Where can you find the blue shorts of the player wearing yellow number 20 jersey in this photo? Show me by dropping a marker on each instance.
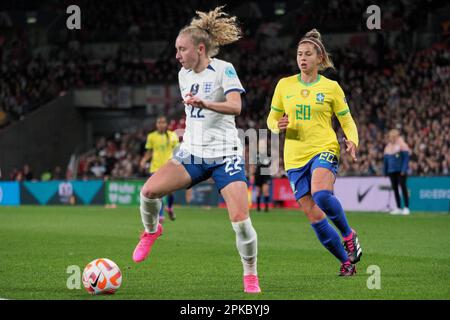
(300, 178)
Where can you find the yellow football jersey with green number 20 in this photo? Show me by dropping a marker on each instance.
(310, 108)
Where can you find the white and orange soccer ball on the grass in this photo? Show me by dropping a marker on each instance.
(102, 276)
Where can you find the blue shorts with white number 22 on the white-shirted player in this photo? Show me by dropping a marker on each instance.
(223, 170)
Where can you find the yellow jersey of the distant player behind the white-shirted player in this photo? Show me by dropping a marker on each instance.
(162, 145)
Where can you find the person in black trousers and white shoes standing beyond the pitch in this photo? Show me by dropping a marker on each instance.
(396, 160)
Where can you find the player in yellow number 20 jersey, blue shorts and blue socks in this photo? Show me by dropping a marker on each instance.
(303, 106)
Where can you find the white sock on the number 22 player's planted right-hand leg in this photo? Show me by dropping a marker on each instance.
(247, 245)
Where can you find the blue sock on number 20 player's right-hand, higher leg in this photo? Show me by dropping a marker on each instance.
(333, 209)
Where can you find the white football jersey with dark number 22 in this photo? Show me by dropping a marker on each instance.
(210, 134)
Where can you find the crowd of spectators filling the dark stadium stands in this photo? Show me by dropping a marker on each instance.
(386, 87)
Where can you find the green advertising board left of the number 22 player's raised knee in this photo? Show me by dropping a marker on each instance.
(123, 192)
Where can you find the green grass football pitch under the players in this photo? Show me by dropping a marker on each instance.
(196, 258)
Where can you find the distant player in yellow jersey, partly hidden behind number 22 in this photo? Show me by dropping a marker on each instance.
(160, 145)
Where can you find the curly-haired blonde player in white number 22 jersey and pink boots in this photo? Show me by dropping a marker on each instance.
(211, 90)
